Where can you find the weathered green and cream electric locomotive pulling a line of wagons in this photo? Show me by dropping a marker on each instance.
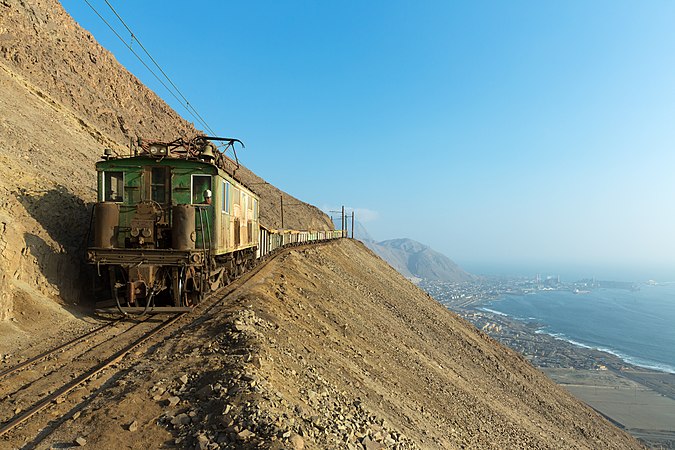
(171, 223)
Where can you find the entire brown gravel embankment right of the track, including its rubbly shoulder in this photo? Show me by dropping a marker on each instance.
(329, 347)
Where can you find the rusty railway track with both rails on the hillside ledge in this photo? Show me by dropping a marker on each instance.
(46, 379)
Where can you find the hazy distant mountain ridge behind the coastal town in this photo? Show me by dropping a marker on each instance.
(418, 261)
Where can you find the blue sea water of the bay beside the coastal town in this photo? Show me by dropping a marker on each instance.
(637, 326)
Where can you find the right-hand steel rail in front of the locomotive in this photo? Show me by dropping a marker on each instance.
(46, 401)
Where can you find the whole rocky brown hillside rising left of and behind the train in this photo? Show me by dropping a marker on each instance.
(63, 99)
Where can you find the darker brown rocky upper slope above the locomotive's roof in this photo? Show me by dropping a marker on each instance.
(39, 40)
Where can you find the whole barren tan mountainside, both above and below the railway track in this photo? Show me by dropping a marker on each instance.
(324, 347)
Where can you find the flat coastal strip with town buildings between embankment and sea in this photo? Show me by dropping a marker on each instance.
(638, 399)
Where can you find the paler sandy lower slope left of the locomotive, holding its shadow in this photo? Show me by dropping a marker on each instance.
(45, 186)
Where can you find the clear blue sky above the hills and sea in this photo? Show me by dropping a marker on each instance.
(520, 133)
